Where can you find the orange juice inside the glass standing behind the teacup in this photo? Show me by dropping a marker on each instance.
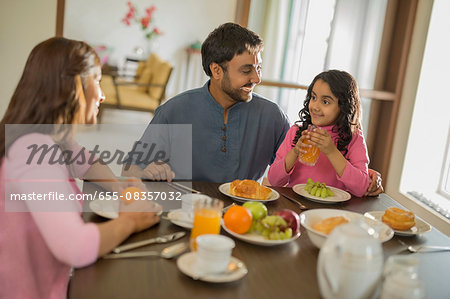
(206, 221)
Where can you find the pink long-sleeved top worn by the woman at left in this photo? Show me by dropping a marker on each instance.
(37, 249)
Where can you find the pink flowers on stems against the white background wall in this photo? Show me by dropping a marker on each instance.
(145, 22)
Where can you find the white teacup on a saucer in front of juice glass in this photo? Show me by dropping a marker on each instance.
(213, 253)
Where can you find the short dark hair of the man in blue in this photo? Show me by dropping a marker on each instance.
(226, 41)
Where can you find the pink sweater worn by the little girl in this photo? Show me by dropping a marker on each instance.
(355, 178)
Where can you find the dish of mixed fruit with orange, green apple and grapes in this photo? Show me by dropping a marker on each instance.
(251, 223)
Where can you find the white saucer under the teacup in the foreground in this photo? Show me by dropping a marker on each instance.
(186, 264)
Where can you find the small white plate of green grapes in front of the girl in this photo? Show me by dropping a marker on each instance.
(320, 192)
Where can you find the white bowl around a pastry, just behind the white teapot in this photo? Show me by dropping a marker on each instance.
(309, 218)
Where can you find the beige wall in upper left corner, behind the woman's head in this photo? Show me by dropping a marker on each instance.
(23, 24)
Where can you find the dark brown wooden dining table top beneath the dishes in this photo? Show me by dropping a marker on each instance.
(283, 271)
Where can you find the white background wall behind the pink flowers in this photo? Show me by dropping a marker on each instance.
(182, 21)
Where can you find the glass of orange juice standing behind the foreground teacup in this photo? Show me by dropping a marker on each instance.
(207, 215)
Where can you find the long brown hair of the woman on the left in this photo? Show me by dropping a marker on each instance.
(49, 91)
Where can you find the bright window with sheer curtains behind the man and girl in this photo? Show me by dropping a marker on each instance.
(303, 37)
